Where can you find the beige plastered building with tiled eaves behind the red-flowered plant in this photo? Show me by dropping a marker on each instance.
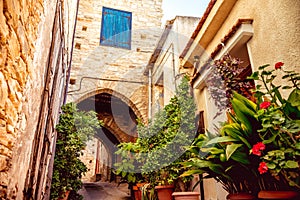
(257, 32)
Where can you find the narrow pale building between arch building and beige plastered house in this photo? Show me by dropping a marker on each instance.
(163, 66)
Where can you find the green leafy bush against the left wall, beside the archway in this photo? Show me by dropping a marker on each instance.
(73, 131)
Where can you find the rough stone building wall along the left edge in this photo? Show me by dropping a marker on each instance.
(34, 61)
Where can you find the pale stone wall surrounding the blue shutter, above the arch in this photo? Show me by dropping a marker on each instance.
(92, 63)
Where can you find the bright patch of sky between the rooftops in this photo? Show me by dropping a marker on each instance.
(194, 8)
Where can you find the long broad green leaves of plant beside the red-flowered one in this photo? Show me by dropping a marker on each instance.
(226, 157)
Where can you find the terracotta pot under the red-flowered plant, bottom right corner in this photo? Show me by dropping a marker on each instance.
(264, 194)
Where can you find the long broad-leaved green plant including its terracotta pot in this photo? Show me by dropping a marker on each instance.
(225, 158)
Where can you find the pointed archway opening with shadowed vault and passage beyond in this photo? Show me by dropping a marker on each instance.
(120, 123)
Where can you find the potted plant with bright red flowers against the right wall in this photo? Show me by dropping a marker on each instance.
(279, 145)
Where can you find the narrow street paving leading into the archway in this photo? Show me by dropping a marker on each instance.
(105, 191)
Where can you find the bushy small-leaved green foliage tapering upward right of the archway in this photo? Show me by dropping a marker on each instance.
(161, 146)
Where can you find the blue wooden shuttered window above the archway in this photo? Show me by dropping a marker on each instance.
(116, 28)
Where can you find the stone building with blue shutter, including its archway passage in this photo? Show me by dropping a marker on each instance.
(113, 43)
